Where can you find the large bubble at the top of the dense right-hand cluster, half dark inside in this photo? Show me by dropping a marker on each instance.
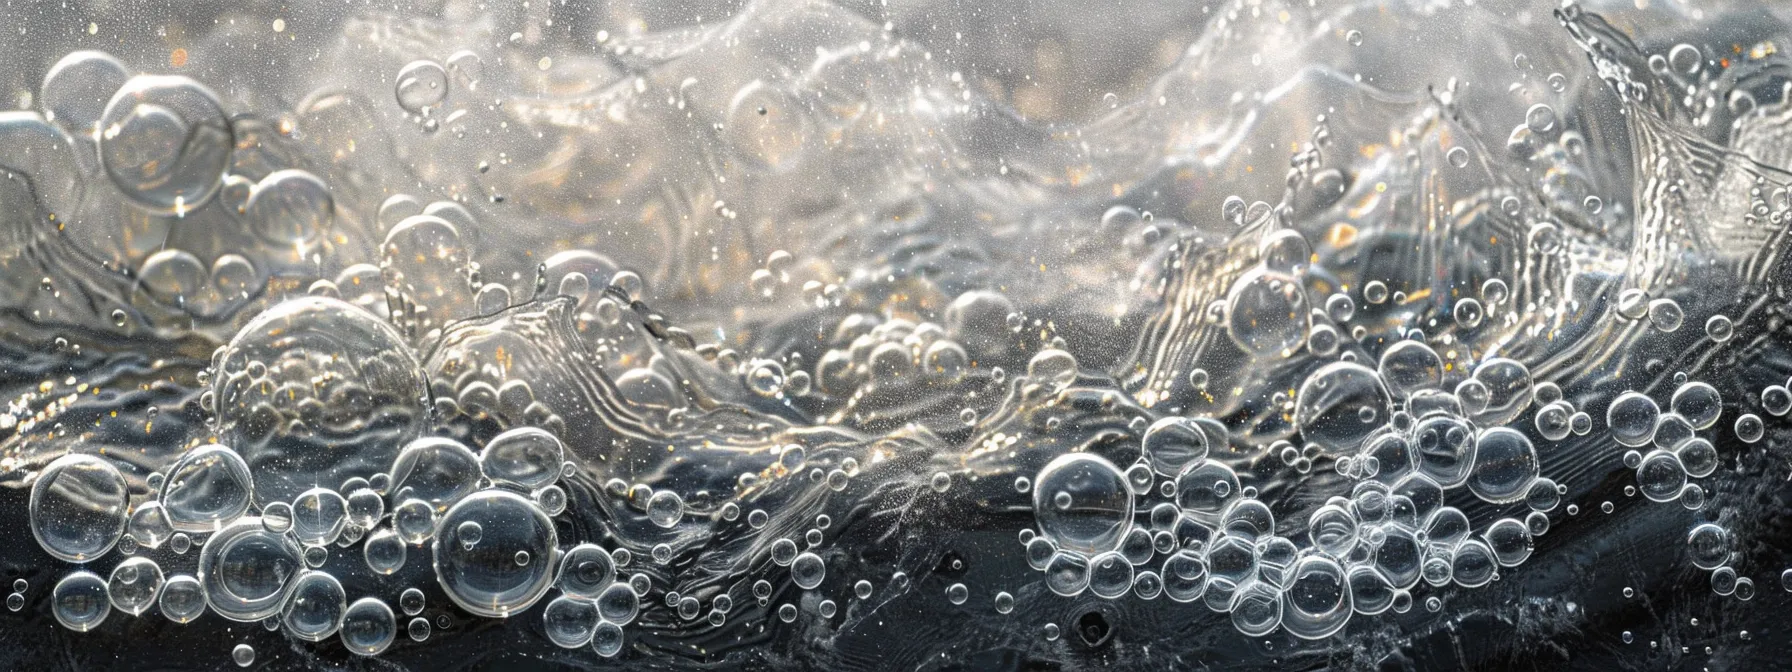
(1340, 406)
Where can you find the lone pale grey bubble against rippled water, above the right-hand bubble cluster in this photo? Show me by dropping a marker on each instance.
(1268, 314)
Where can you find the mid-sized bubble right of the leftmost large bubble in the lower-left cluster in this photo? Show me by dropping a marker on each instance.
(207, 488)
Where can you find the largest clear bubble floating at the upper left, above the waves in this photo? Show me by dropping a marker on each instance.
(166, 144)
